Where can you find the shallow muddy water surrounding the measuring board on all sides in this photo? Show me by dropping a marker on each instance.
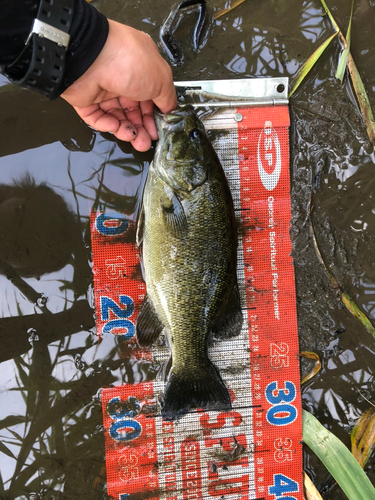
(54, 170)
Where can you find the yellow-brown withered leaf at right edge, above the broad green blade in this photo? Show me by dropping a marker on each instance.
(363, 437)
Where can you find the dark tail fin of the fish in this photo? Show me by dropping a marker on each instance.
(187, 390)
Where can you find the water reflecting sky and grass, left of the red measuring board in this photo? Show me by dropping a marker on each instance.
(50, 412)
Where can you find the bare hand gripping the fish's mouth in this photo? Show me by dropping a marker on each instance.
(118, 92)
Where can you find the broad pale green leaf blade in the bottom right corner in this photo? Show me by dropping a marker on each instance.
(337, 459)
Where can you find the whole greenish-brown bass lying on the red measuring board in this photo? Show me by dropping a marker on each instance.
(188, 238)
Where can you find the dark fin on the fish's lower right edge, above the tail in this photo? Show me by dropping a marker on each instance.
(229, 322)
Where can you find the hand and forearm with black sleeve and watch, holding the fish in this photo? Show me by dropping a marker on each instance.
(113, 74)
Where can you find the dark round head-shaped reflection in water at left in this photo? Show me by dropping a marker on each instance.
(38, 233)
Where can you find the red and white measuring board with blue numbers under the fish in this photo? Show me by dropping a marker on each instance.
(253, 451)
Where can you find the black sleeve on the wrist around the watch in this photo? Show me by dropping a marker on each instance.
(88, 34)
